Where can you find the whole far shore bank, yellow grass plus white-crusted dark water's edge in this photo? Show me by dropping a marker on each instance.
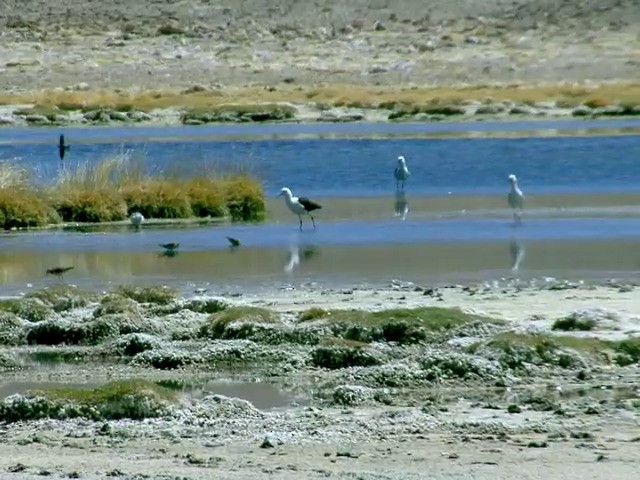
(200, 105)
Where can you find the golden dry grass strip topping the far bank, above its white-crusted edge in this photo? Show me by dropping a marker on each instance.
(266, 104)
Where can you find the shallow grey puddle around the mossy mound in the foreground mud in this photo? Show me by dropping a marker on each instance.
(263, 396)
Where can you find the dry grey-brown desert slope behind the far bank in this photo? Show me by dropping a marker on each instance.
(164, 43)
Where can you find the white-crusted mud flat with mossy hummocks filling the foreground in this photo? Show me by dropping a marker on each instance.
(317, 383)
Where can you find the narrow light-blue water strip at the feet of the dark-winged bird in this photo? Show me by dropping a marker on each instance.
(458, 231)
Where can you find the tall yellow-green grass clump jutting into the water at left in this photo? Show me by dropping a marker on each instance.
(112, 189)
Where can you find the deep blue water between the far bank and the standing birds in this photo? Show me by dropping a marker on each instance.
(360, 167)
